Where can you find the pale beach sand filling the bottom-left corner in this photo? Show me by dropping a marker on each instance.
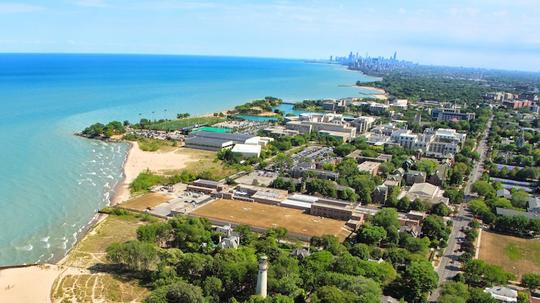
(28, 284)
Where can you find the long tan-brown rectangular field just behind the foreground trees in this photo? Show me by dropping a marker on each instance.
(267, 216)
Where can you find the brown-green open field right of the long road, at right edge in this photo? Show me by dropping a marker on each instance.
(514, 254)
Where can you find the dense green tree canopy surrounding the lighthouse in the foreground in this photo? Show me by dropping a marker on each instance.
(180, 260)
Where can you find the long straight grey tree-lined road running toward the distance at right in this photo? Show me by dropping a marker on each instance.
(449, 266)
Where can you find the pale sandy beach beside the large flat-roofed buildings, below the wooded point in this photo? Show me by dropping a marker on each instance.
(159, 161)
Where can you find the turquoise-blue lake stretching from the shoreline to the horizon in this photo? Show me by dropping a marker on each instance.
(52, 183)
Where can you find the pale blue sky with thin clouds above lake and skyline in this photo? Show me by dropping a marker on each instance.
(501, 34)
